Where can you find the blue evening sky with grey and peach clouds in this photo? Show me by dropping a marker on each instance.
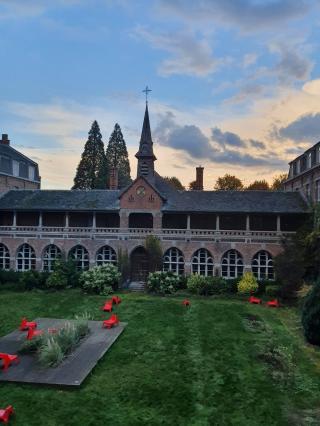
(235, 83)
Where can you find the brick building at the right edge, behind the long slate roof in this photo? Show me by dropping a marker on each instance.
(304, 174)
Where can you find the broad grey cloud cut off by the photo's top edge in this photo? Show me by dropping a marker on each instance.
(249, 15)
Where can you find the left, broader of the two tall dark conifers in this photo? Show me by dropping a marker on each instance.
(93, 162)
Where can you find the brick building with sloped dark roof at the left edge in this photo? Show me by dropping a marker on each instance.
(16, 170)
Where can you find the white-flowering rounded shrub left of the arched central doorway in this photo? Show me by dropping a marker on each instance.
(100, 279)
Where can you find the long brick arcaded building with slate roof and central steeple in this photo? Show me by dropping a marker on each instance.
(209, 232)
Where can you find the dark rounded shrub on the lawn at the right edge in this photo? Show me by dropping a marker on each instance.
(311, 315)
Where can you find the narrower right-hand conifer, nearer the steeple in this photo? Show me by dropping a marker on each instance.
(117, 156)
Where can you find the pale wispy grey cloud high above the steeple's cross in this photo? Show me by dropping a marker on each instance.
(189, 55)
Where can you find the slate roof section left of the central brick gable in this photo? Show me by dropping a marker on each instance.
(58, 200)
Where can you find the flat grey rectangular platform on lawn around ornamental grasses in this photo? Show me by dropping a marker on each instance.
(73, 369)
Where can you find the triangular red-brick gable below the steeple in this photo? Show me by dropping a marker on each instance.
(140, 196)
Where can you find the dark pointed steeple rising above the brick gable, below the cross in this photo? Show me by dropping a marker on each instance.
(145, 154)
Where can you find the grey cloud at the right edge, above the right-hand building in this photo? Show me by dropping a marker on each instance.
(304, 128)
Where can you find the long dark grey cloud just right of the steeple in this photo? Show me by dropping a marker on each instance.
(190, 140)
